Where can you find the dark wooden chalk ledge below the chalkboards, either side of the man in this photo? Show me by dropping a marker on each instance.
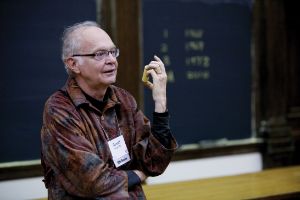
(33, 168)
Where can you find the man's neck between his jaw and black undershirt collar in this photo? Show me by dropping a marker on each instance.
(96, 92)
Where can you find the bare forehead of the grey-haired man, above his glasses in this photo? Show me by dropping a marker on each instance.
(95, 38)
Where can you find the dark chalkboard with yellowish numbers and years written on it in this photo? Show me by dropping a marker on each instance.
(205, 45)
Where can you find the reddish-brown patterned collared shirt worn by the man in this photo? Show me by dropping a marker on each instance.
(75, 154)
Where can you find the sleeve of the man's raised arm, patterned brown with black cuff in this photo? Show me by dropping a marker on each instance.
(154, 145)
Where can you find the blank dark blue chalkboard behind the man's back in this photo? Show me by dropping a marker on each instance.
(31, 68)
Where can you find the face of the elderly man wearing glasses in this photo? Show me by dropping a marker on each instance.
(95, 73)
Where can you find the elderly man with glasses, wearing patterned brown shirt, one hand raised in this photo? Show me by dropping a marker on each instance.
(96, 143)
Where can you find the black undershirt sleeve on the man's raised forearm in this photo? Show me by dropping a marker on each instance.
(161, 128)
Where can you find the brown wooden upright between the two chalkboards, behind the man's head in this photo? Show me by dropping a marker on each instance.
(121, 19)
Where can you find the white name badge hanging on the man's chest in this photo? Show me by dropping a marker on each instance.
(119, 151)
